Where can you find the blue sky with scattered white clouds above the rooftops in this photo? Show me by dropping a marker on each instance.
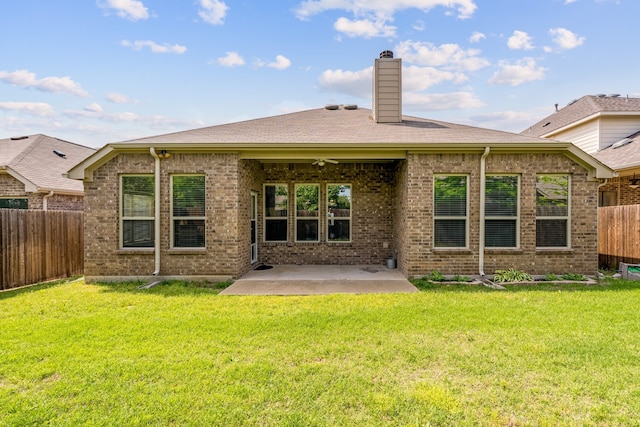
(99, 71)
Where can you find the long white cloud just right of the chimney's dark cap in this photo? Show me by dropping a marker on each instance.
(448, 56)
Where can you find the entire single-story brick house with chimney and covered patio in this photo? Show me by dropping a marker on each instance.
(340, 185)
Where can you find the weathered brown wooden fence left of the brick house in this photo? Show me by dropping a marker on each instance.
(39, 245)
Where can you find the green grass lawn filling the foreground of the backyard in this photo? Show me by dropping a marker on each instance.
(178, 354)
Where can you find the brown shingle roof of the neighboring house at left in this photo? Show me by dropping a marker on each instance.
(32, 161)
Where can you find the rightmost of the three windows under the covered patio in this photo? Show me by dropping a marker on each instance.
(339, 212)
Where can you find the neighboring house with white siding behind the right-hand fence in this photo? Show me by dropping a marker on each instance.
(607, 127)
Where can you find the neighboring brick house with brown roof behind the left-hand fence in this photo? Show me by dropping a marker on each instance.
(31, 173)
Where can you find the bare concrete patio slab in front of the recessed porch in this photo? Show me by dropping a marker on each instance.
(319, 280)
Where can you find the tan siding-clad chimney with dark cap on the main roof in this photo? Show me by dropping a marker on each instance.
(387, 89)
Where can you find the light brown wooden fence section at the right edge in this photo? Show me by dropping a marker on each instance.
(618, 235)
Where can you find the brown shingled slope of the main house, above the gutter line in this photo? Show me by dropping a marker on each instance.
(336, 126)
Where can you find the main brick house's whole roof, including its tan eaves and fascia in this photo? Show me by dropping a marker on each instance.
(343, 133)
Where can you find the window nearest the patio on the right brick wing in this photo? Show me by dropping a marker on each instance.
(450, 197)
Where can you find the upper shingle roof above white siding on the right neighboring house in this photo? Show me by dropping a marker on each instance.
(586, 107)
